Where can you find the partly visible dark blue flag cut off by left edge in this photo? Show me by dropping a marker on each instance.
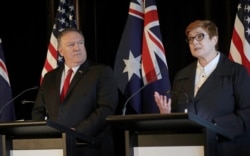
(7, 109)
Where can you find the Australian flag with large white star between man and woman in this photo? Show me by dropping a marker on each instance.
(141, 66)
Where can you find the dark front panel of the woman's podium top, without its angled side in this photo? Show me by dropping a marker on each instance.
(153, 121)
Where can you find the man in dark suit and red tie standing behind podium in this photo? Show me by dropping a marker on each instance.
(92, 95)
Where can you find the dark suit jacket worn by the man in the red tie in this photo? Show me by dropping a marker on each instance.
(91, 97)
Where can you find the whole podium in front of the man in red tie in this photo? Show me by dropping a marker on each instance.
(39, 135)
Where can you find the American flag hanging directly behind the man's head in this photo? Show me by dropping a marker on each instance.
(65, 18)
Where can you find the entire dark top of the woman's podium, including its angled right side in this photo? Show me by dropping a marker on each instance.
(172, 121)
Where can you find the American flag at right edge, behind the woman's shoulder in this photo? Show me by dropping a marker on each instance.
(240, 43)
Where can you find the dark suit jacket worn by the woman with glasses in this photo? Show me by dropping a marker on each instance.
(223, 99)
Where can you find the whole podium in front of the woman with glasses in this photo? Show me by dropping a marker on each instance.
(164, 130)
